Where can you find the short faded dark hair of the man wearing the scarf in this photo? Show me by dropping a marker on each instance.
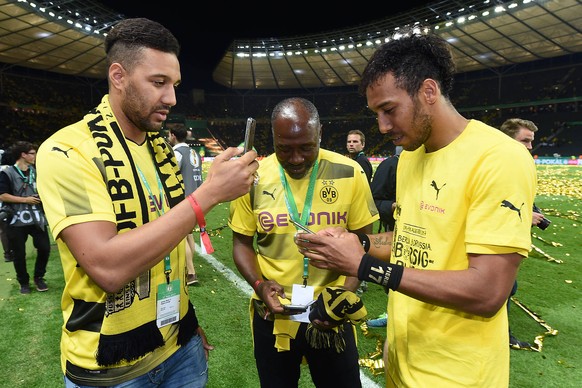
(127, 38)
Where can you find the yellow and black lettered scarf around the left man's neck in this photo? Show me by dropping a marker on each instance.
(129, 329)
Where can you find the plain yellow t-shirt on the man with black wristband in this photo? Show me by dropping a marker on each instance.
(473, 196)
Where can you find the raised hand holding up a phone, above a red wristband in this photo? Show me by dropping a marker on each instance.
(230, 177)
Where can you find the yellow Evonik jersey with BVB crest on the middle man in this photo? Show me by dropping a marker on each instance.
(341, 197)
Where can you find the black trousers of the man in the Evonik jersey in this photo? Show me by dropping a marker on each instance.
(283, 369)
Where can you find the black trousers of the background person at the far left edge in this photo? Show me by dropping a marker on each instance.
(40, 238)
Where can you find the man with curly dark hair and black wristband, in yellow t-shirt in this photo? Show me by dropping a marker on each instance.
(462, 226)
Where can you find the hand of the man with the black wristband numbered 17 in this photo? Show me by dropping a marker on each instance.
(333, 249)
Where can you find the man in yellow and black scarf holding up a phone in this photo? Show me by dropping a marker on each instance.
(115, 202)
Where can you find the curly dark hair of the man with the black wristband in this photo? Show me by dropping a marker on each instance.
(411, 59)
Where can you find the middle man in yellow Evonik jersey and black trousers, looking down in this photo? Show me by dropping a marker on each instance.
(318, 188)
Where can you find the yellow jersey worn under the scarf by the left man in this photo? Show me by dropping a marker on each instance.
(74, 191)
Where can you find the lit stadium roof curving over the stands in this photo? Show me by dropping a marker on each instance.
(66, 37)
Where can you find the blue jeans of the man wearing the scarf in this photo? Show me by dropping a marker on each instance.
(185, 368)
